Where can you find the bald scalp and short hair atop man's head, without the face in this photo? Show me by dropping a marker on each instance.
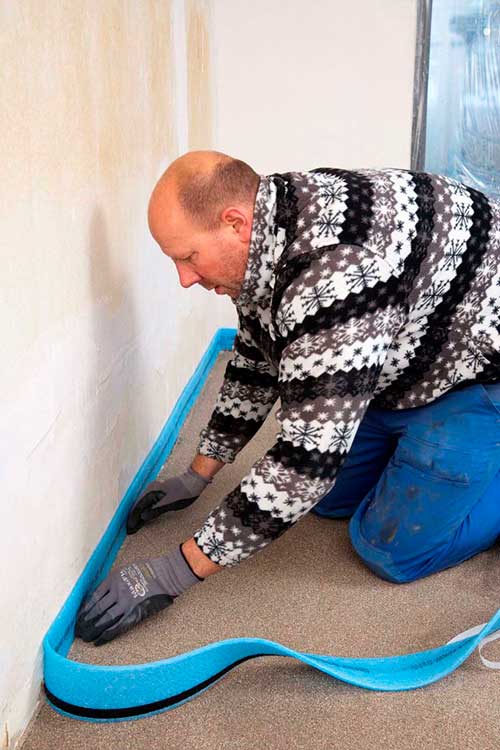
(203, 184)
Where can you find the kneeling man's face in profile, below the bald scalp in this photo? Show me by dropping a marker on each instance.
(215, 260)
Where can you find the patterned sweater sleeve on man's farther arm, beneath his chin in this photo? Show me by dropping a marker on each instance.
(247, 395)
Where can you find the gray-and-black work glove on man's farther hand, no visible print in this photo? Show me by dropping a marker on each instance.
(161, 496)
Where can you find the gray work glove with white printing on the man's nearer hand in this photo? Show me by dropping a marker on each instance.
(130, 594)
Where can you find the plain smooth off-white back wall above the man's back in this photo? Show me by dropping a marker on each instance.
(324, 83)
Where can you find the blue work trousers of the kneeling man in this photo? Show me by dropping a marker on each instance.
(422, 486)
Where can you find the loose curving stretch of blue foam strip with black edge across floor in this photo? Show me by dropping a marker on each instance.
(114, 693)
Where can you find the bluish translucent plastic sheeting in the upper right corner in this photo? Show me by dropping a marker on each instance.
(463, 102)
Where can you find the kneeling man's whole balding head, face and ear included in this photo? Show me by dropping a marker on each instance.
(201, 215)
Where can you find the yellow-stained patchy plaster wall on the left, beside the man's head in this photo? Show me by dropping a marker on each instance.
(93, 105)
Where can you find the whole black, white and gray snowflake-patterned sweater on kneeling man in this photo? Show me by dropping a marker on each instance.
(366, 287)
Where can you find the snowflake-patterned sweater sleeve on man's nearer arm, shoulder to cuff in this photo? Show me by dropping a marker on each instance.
(336, 321)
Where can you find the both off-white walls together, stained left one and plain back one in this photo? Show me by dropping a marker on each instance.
(95, 101)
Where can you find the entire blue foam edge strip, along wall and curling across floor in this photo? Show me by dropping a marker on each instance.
(140, 690)
